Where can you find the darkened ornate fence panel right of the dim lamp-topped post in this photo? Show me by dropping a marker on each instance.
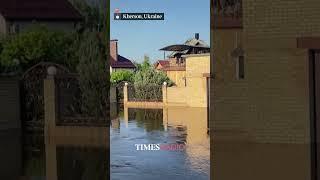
(71, 107)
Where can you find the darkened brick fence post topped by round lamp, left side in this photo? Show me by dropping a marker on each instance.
(49, 100)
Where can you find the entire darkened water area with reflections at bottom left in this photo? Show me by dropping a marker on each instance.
(64, 153)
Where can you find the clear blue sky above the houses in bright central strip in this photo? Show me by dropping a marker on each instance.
(183, 18)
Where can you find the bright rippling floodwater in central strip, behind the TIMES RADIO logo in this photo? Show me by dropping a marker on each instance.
(186, 126)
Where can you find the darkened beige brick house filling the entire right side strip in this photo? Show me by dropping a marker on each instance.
(265, 98)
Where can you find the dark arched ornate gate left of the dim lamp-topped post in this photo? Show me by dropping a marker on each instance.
(32, 103)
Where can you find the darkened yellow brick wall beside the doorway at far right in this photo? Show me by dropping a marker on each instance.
(277, 71)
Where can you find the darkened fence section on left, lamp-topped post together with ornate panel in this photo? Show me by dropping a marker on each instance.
(66, 104)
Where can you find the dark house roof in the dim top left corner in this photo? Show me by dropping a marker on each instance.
(38, 10)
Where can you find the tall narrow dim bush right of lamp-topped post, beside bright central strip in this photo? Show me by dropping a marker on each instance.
(94, 75)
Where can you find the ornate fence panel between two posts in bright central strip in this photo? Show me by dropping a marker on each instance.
(152, 93)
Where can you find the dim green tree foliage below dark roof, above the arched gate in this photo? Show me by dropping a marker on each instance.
(20, 51)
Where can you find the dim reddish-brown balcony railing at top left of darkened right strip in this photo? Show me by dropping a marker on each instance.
(227, 13)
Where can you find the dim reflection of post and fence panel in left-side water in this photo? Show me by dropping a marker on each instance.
(77, 153)
